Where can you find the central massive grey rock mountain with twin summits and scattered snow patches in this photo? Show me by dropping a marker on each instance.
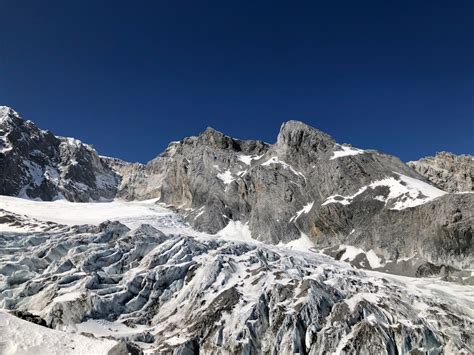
(308, 186)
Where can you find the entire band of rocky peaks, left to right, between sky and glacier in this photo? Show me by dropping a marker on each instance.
(305, 184)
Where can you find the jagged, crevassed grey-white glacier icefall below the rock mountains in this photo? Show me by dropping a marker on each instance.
(181, 294)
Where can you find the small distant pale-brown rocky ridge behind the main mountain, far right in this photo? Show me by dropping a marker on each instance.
(450, 172)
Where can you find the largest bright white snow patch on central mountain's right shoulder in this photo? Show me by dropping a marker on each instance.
(404, 192)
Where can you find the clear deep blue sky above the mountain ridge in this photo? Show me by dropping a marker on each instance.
(130, 76)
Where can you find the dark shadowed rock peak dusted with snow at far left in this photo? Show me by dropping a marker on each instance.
(38, 165)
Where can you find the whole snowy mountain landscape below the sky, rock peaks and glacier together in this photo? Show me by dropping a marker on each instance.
(224, 246)
